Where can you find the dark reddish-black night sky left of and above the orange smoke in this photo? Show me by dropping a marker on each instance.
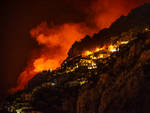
(17, 19)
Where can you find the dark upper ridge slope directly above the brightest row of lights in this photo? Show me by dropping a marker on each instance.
(135, 19)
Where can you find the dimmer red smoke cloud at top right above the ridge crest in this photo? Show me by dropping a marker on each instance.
(107, 11)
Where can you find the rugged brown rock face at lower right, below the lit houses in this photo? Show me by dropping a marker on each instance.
(124, 86)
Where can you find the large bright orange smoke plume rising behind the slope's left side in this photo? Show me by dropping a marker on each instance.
(56, 42)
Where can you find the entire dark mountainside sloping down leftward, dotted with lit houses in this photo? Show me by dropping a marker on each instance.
(116, 83)
